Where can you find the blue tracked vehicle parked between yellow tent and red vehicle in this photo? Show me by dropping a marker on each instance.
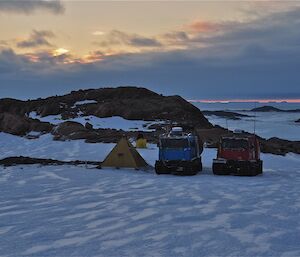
(179, 153)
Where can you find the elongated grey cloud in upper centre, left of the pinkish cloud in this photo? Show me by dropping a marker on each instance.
(116, 37)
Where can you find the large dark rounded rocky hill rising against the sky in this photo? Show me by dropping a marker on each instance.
(128, 102)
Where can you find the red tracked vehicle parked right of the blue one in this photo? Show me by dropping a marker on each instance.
(238, 154)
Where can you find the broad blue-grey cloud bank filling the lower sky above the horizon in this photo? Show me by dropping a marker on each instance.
(251, 59)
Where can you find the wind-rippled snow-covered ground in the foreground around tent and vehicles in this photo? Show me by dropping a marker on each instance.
(78, 211)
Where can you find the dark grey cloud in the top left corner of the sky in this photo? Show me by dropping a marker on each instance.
(31, 6)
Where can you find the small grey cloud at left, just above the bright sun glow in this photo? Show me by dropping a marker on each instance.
(36, 39)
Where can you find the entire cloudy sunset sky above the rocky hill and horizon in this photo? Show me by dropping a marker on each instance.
(197, 49)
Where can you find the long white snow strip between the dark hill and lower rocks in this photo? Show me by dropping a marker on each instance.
(115, 122)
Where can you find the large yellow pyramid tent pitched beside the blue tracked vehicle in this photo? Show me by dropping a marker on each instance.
(124, 155)
